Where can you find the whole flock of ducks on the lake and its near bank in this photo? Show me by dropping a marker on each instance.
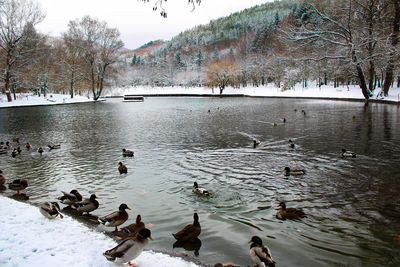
(134, 237)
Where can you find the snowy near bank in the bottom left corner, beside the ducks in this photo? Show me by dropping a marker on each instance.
(29, 239)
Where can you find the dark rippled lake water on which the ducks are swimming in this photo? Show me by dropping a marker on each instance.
(352, 205)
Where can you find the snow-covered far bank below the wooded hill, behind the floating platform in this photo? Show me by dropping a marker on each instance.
(312, 91)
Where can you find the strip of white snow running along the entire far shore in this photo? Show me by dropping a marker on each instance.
(312, 91)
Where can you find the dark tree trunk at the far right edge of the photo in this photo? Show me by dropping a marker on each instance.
(394, 37)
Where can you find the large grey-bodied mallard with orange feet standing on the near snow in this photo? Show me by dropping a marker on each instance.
(129, 249)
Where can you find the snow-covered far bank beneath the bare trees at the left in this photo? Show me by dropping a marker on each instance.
(34, 100)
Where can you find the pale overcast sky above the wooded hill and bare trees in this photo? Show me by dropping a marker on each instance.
(137, 21)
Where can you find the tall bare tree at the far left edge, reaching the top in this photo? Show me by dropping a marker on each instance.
(17, 18)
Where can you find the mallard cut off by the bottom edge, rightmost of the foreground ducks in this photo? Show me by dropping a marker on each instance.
(260, 254)
